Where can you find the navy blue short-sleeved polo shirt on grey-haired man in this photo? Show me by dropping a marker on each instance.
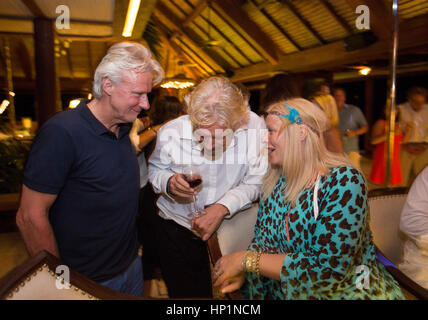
(95, 176)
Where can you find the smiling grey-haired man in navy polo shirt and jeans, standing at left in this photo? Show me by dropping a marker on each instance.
(81, 182)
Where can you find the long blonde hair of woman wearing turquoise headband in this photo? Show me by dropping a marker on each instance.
(304, 157)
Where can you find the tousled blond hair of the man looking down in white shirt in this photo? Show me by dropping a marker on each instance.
(216, 100)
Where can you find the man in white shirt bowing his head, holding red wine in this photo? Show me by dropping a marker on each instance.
(218, 137)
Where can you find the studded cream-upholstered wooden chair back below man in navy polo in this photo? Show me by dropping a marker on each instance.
(36, 279)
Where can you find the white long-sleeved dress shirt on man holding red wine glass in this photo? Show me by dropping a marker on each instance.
(233, 180)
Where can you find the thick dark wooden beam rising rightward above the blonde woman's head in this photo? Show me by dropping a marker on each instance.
(412, 35)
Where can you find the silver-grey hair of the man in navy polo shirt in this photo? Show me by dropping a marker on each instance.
(125, 56)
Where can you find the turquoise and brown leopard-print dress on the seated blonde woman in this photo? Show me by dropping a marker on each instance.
(323, 254)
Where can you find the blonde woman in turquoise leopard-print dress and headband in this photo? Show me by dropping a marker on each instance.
(312, 237)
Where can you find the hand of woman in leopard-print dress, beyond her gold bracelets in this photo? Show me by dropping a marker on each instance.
(228, 273)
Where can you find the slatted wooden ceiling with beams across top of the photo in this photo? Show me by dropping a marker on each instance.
(247, 40)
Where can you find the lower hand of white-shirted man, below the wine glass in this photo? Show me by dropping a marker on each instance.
(207, 224)
